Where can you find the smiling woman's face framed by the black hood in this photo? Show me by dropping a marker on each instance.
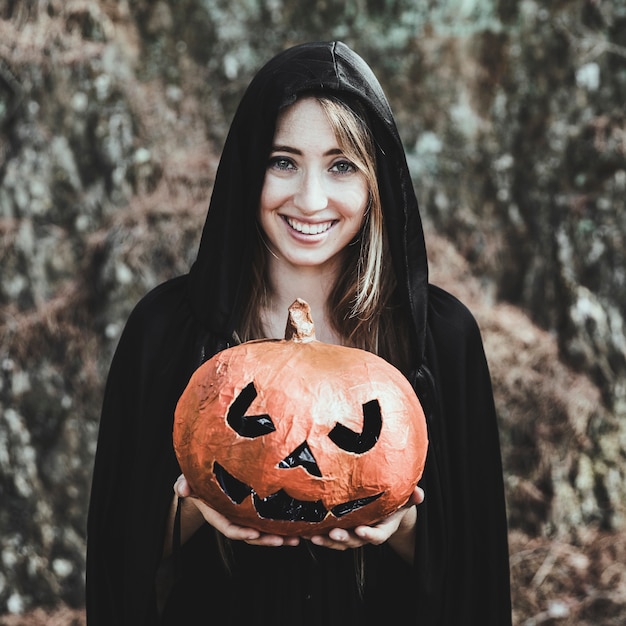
(313, 198)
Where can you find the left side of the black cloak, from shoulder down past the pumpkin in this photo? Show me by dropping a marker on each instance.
(135, 466)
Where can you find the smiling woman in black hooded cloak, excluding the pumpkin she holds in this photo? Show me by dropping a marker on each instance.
(312, 199)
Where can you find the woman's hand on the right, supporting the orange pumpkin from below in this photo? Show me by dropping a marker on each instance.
(397, 528)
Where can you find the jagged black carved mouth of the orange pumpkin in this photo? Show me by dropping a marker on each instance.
(280, 505)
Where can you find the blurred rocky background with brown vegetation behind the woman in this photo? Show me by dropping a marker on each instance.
(112, 117)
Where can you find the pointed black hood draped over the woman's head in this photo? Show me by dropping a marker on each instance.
(220, 276)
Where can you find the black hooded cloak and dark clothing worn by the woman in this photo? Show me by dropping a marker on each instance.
(461, 574)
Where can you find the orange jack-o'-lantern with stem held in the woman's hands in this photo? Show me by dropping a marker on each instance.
(296, 436)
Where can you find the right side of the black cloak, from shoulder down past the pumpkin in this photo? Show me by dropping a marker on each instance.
(462, 549)
